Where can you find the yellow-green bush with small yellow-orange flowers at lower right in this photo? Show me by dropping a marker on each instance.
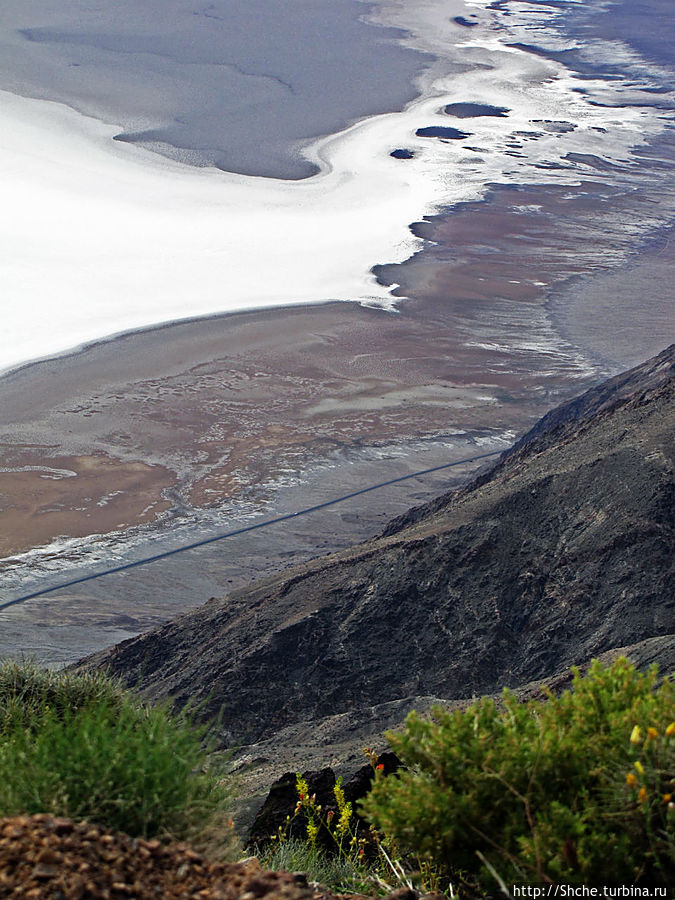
(538, 791)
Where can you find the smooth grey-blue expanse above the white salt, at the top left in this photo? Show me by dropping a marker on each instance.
(224, 83)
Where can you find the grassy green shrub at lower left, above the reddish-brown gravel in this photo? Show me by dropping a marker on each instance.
(79, 746)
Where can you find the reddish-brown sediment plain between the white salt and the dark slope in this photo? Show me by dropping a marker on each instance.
(198, 413)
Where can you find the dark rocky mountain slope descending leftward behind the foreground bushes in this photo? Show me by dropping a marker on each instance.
(561, 552)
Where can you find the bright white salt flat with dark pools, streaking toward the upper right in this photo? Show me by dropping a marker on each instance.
(101, 237)
